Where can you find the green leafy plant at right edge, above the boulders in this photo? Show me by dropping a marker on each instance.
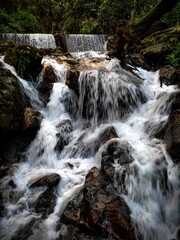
(173, 58)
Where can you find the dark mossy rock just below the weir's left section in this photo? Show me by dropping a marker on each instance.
(26, 60)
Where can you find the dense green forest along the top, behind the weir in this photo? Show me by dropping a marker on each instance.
(75, 16)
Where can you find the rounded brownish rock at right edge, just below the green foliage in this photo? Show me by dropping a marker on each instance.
(169, 75)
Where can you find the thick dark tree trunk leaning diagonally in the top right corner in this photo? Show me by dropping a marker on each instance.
(162, 7)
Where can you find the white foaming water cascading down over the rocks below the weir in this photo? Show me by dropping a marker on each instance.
(154, 206)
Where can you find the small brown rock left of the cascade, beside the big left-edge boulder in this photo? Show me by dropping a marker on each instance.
(32, 119)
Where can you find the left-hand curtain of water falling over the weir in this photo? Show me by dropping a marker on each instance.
(36, 40)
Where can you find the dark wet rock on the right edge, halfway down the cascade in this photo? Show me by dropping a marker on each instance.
(172, 135)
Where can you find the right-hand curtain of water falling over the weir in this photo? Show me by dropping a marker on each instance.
(85, 42)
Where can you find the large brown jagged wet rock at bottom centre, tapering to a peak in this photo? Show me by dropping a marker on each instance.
(98, 212)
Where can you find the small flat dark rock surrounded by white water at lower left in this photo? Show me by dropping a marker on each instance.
(49, 180)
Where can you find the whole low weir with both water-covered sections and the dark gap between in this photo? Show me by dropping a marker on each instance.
(67, 43)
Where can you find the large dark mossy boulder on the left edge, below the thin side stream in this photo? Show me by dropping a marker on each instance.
(11, 101)
